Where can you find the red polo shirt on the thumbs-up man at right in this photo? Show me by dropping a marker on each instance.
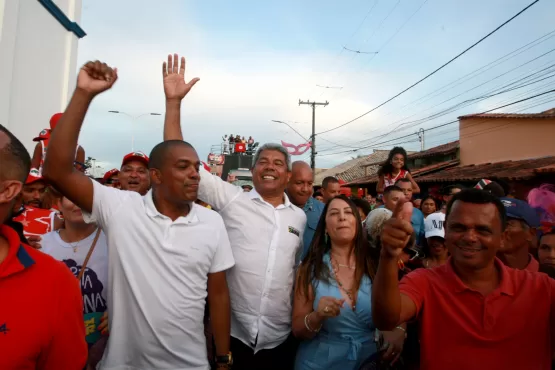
(460, 329)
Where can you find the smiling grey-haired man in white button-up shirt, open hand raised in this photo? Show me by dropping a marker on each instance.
(265, 231)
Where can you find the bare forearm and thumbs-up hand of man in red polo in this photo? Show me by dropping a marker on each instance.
(389, 307)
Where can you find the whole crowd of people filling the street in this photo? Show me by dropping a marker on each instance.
(162, 265)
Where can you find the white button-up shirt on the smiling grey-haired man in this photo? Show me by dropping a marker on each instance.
(265, 241)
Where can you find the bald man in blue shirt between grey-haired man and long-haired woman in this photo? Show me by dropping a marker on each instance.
(299, 190)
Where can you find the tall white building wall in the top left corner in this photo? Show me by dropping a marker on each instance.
(37, 65)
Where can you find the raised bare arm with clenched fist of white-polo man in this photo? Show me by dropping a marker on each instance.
(93, 79)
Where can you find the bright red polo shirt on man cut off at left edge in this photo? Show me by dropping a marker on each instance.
(41, 314)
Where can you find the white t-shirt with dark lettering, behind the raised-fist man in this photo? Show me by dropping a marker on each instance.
(94, 282)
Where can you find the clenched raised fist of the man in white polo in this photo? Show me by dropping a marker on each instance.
(96, 77)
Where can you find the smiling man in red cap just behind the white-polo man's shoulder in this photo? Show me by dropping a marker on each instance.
(133, 175)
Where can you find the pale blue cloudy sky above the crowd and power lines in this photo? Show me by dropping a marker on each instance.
(256, 59)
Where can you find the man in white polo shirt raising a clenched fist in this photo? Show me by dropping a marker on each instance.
(165, 251)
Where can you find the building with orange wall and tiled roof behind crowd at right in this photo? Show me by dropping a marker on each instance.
(518, 149)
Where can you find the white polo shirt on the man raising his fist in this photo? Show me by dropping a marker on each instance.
(158, 280)
